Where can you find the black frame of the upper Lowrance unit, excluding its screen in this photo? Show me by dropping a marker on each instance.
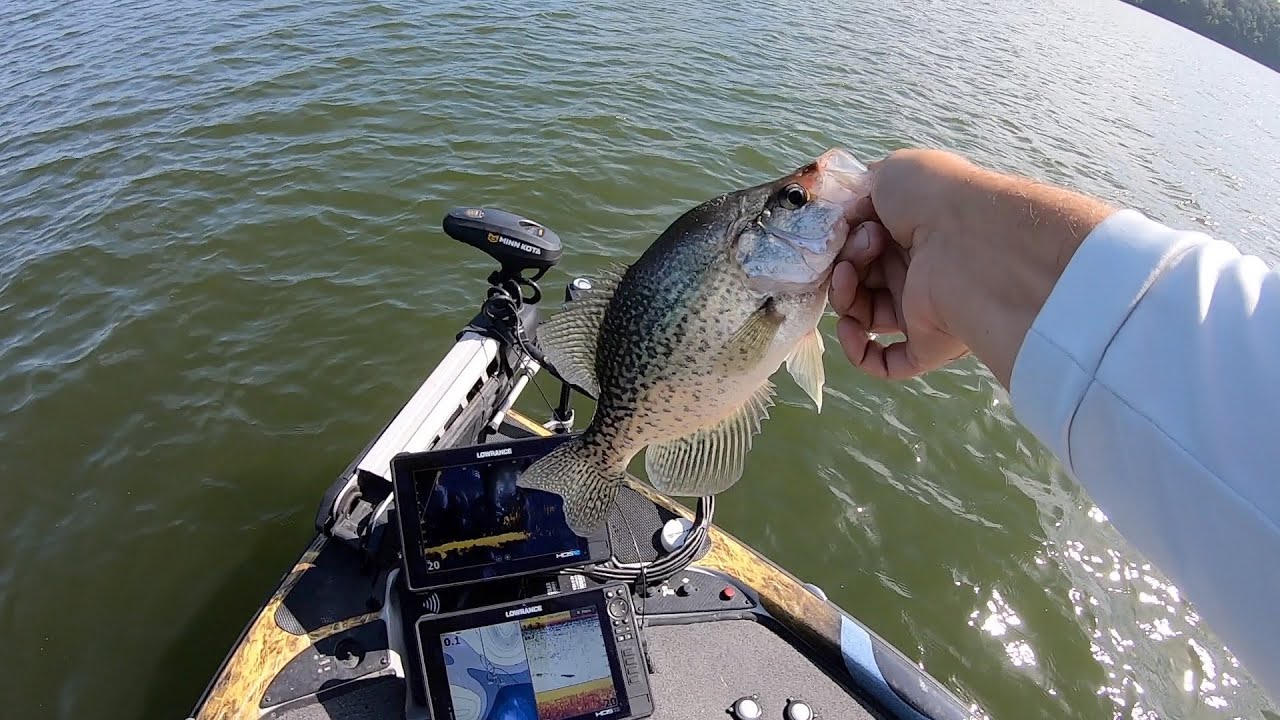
(405, 470)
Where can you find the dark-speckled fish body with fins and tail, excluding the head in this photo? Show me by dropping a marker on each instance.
(683, 356)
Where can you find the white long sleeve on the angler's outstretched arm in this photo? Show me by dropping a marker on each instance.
(1154, 375)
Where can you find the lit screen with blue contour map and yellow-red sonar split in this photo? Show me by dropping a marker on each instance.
(551, 667)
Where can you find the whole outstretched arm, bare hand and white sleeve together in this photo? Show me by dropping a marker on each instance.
(1142, 357)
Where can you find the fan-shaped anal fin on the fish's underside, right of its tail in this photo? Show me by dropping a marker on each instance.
(710, 461)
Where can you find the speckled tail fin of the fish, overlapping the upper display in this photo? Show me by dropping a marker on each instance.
(584, 477)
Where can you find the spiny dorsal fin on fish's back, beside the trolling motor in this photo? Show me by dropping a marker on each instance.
(570, 338)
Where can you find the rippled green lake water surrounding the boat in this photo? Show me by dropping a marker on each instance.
(222, 272)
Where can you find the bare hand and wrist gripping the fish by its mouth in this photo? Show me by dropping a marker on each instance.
(953, 257)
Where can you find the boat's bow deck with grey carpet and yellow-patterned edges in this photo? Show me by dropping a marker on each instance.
(331, 641)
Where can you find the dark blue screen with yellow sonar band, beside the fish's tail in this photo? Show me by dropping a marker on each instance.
(476, 523)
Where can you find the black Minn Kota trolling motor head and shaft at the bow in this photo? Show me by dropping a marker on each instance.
(519, 245)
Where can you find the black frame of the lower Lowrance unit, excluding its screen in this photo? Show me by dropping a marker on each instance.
(431, 653)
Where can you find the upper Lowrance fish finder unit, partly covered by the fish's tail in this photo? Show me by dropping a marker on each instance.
(464, 520)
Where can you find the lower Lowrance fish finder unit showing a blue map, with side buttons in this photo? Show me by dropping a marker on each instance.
(559, 658)
